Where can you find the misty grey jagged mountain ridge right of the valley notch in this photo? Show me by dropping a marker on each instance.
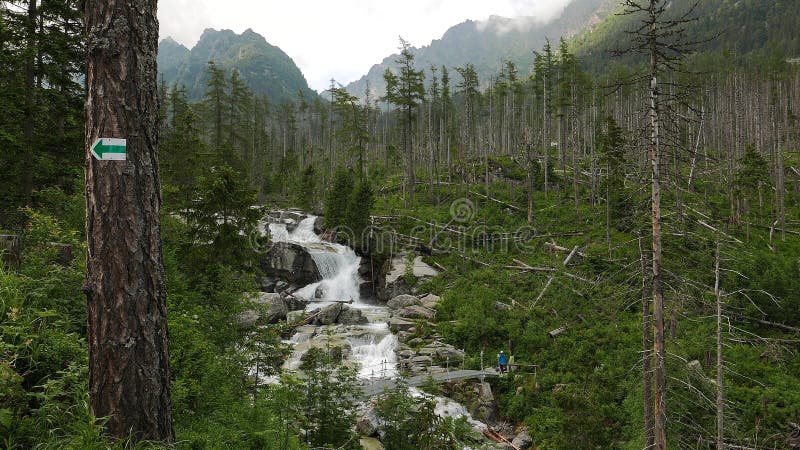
(487, 44)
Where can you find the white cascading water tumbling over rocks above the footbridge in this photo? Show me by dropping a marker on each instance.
(371, 346)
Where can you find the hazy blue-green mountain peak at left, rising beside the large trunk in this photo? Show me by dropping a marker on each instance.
(265, 68)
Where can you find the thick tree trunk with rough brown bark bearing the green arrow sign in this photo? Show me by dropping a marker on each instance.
(125, 282)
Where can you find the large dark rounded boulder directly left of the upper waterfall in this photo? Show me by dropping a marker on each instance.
(291, 262)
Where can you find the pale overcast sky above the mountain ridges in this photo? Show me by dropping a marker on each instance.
(338, 39)
